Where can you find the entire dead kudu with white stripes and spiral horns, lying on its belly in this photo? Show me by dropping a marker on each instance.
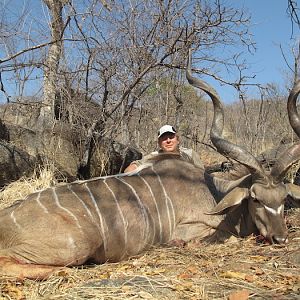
(112, 218)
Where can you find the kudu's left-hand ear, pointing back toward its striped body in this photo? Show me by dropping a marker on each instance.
(234, 197)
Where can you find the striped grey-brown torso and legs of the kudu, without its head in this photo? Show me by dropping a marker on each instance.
(107, 218)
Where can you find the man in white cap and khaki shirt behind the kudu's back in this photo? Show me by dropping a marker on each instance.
(168, 141)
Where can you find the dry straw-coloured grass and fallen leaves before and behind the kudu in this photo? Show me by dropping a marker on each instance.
(240, 268)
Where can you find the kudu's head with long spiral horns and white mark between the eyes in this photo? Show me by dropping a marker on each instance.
(265, 191)
